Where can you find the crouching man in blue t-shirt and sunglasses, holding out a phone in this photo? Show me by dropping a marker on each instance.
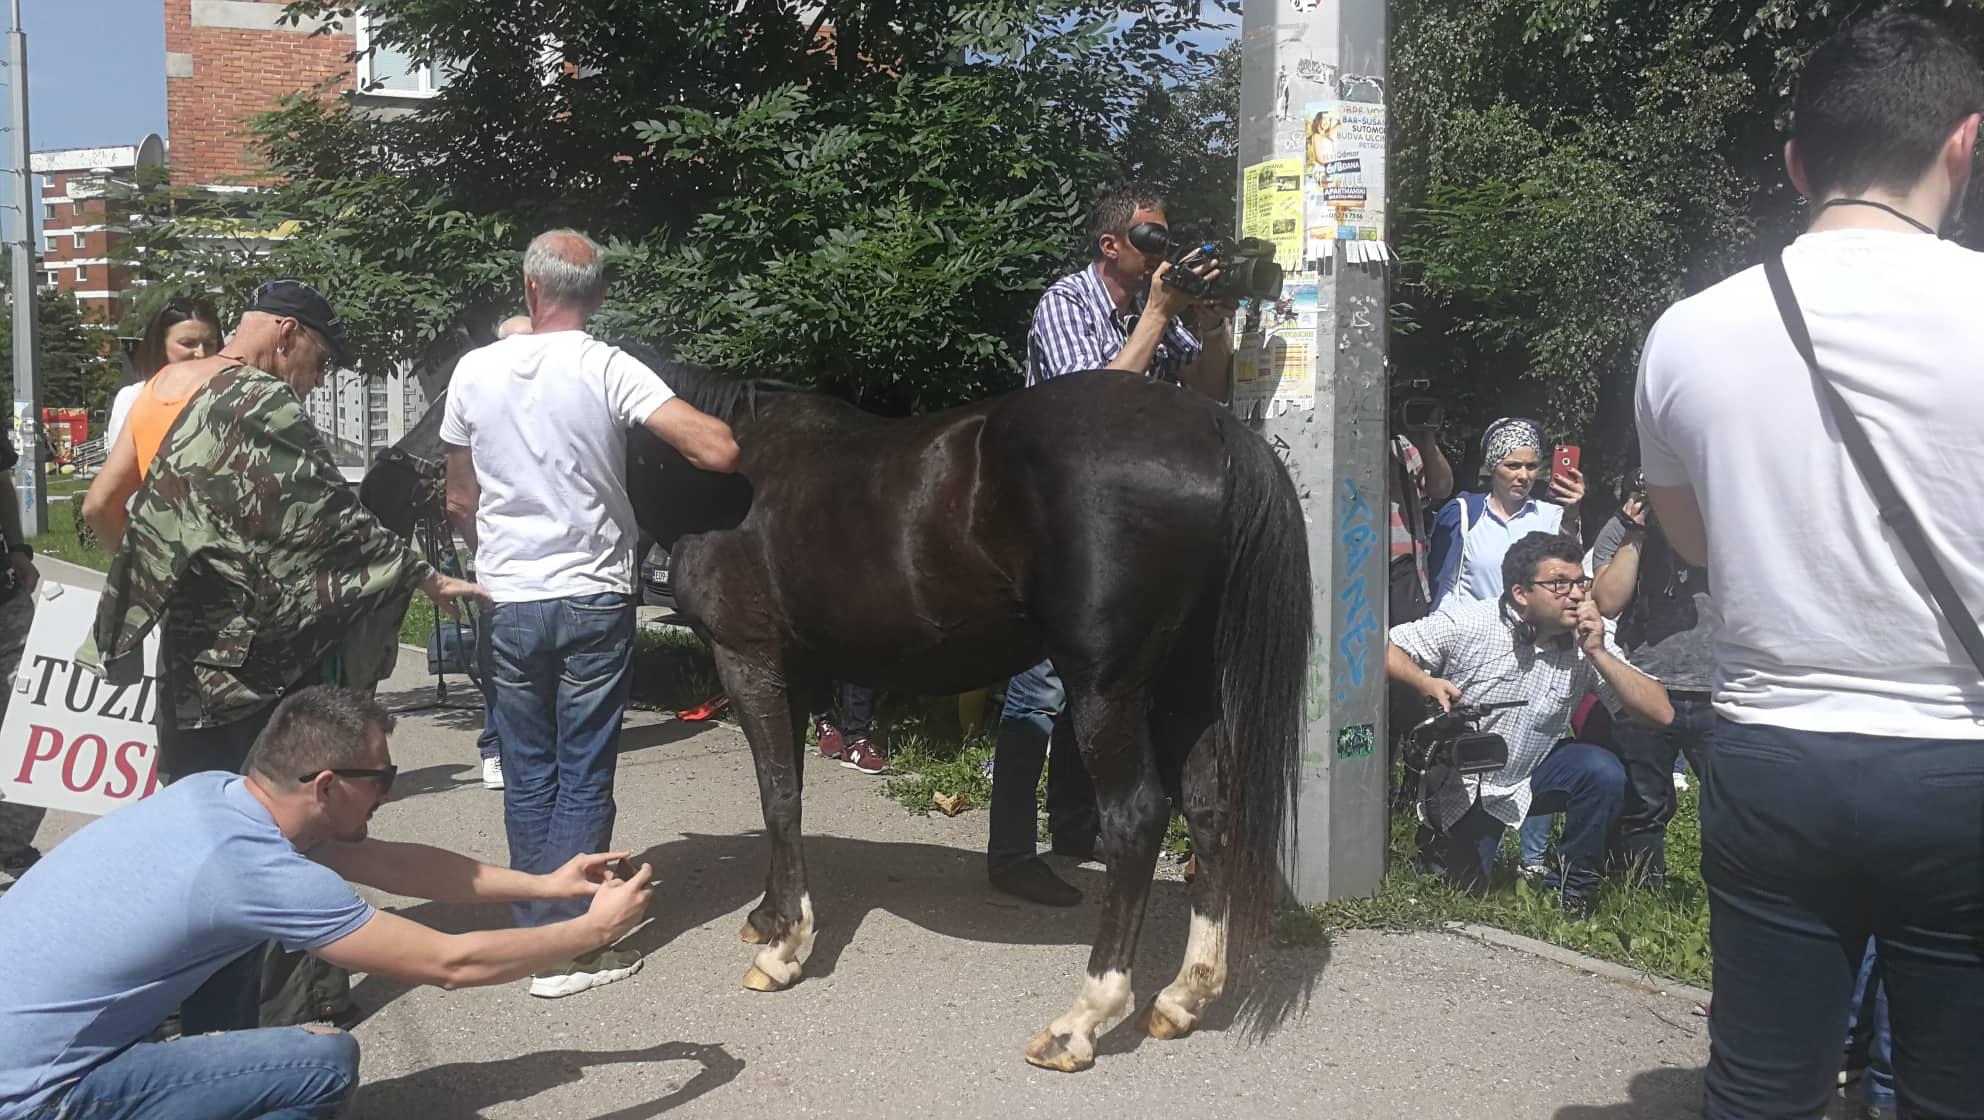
(150, 905)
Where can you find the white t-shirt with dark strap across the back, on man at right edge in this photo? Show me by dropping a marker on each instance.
(1826, 623)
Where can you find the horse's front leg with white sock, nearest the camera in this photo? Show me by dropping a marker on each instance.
(783, 925)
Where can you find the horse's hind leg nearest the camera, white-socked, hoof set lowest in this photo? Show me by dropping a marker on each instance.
(1116, 744)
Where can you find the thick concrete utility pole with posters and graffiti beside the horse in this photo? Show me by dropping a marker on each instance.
(1312, 90)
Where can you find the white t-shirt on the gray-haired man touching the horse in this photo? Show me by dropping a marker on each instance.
(547, 423)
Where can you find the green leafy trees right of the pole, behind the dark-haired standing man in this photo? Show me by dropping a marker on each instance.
(1566, 169)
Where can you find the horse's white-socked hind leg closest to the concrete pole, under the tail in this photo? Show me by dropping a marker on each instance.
(1203, 974)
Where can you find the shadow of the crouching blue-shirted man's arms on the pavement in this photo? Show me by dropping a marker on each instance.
(461, 1091)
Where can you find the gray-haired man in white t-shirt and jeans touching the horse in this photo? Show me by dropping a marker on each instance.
(537, 429)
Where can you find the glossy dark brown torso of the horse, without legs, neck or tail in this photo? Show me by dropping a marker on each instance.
(959, 546)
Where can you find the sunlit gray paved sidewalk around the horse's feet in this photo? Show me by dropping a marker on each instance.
(926, 988)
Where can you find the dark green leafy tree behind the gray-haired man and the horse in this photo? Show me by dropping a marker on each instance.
(864, 195)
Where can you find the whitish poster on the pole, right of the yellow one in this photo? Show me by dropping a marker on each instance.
(1344, 175)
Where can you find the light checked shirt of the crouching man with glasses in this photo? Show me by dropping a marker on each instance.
(1477, 649)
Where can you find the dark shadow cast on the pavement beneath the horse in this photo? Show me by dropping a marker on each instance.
(701, 879)
